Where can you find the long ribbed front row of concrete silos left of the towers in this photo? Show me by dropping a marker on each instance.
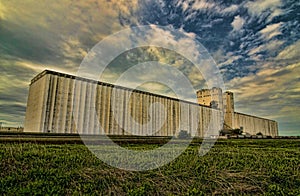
(78, 105)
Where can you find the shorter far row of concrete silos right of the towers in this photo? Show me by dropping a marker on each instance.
(254, 125)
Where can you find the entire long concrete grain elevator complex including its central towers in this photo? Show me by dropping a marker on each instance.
(63, 103)
